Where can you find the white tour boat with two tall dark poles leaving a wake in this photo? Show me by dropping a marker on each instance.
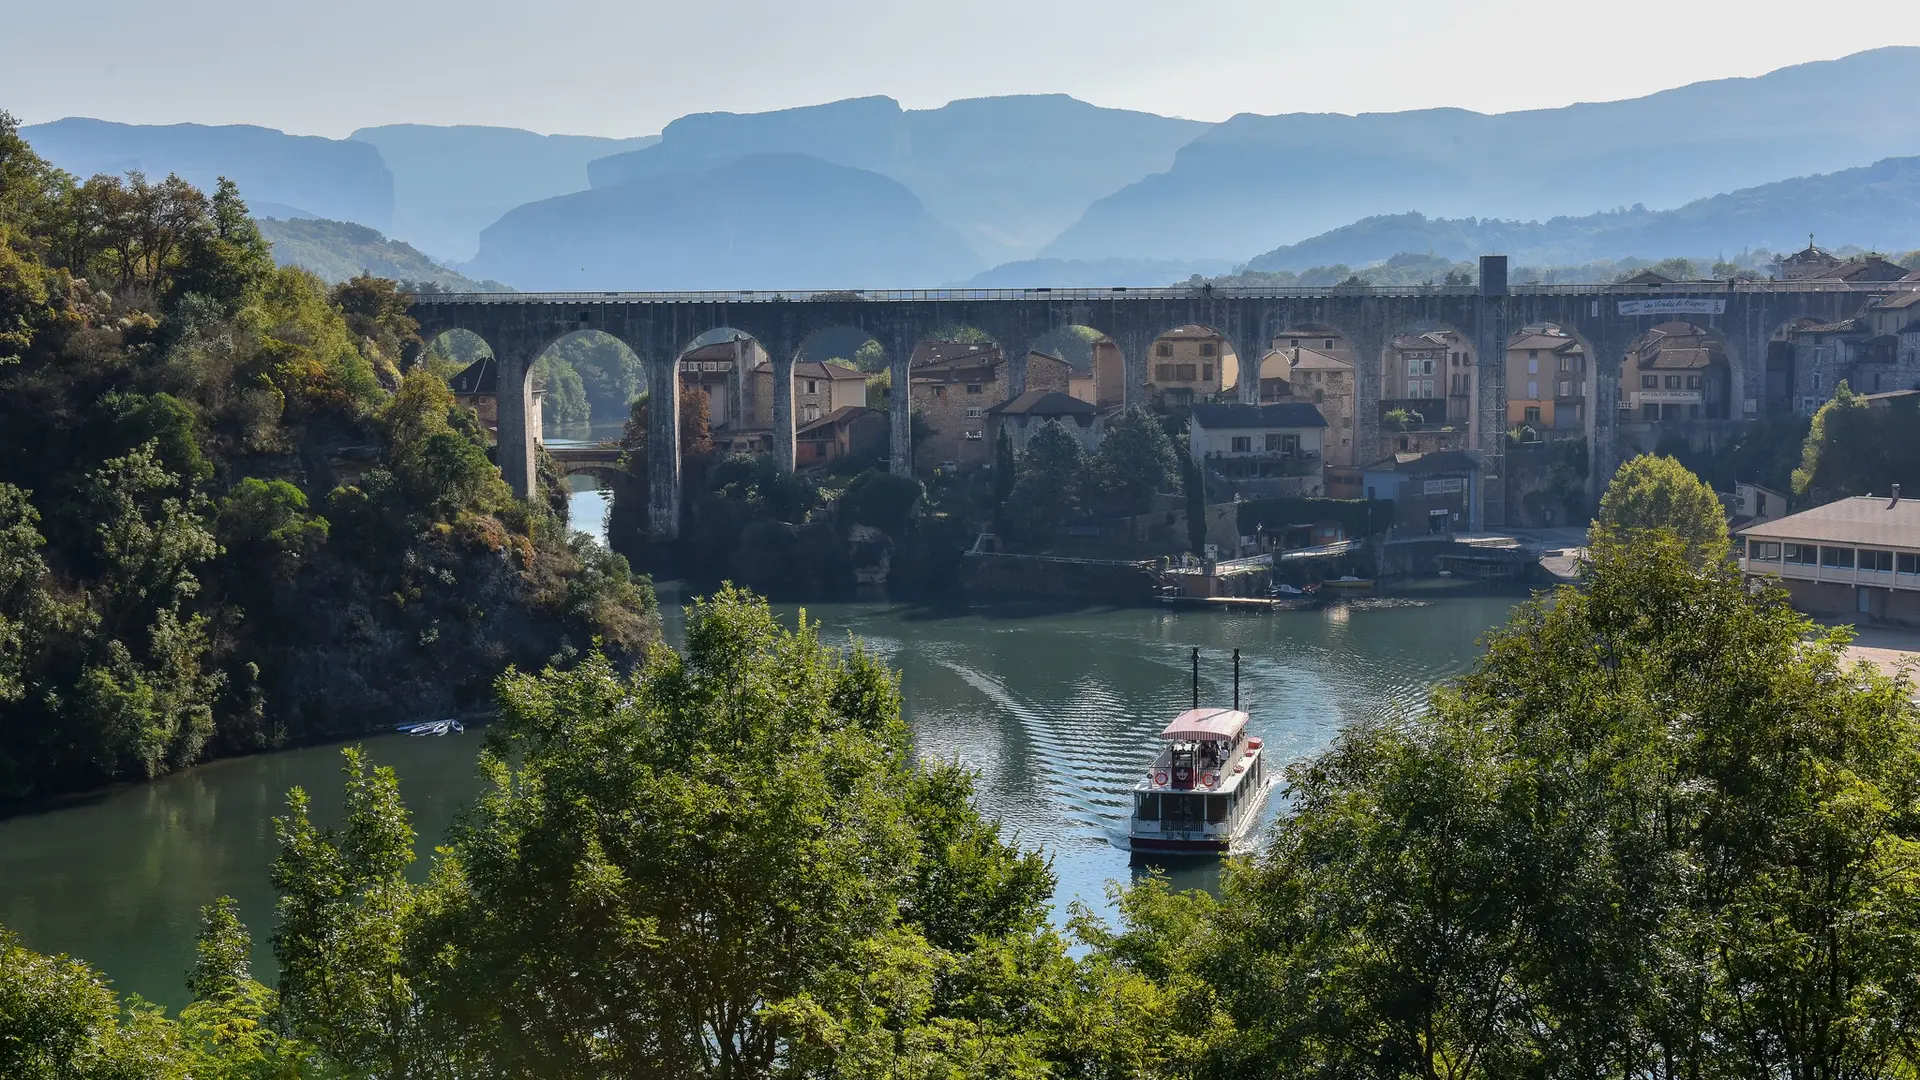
(1205, 789)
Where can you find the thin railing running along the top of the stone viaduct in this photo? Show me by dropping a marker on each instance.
(1159, 293)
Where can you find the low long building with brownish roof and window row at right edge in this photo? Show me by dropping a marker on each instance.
(1854, 558)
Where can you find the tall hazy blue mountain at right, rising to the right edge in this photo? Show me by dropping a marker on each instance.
(1259, 182)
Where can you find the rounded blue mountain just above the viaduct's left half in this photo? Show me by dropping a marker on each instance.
(765, 222)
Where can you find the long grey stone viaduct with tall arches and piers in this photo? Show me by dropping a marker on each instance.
(1604, 318)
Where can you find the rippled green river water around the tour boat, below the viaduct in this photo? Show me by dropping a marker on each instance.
(1055, 708)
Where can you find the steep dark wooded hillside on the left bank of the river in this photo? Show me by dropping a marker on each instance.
(228, 516)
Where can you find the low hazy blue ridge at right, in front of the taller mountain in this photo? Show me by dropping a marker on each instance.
(1875, 207)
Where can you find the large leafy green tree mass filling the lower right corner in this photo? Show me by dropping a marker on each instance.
(1660, 831)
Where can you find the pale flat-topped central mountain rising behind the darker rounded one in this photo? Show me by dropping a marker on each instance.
(1009, 174)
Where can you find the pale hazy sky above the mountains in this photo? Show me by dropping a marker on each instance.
(608, 68)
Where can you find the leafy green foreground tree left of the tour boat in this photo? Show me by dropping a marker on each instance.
(725, 866)
